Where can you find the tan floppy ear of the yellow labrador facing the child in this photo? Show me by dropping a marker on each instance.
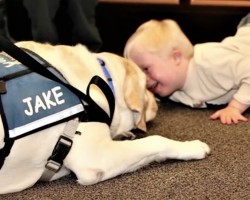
(134, 94)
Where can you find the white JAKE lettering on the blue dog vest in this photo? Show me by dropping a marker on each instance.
(44, 102)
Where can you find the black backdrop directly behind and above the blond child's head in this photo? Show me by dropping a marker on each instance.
(117, 21)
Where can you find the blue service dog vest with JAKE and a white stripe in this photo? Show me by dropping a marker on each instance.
(33, 101)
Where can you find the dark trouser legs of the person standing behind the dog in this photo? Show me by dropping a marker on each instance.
(82, 28)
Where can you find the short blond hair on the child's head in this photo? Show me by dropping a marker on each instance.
(160, 37)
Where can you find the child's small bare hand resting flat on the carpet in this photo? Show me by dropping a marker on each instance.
(232, 113)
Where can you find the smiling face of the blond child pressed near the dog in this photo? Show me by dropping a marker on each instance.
(160, 72)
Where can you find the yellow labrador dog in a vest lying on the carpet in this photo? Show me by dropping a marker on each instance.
(94, 156)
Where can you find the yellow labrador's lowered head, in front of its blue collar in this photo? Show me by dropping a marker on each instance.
(135, 105)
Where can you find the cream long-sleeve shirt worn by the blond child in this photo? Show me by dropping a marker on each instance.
(218, 72)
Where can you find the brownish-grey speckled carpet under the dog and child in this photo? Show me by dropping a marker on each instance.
(224, 174)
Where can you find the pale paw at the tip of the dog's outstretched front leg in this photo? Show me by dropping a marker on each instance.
(193, 150)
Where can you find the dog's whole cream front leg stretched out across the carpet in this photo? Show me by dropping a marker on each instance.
(101, 158)
